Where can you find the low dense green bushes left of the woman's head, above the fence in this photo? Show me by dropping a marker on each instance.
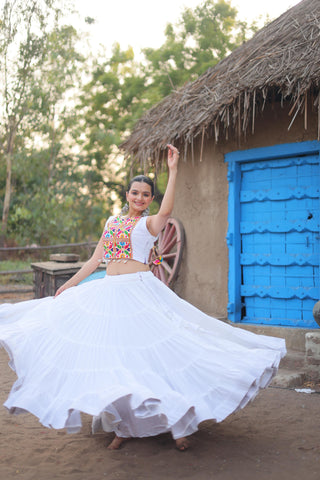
(64, 210)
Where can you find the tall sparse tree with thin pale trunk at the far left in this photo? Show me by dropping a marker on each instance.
(28, 30)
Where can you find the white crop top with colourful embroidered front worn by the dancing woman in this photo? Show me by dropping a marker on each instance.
(127, 237)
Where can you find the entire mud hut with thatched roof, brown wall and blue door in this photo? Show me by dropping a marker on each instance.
(248, 190)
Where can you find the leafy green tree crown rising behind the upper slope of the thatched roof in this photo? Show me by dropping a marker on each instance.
(202, 37)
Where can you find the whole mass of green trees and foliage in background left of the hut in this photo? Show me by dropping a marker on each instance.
(67, 170)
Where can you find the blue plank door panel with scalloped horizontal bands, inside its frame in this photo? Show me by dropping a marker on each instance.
(279, 228)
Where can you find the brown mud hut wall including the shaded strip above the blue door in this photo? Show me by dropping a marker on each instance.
(202, 206)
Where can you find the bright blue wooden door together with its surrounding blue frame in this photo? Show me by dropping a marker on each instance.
(273, 237)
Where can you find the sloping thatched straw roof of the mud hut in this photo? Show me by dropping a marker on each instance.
(281, 62)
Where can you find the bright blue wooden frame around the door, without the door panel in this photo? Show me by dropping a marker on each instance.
(233, 238)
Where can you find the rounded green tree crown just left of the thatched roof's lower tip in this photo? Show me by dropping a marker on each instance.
(110, 103)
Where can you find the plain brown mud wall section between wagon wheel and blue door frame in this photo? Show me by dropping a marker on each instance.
(201, 205)
